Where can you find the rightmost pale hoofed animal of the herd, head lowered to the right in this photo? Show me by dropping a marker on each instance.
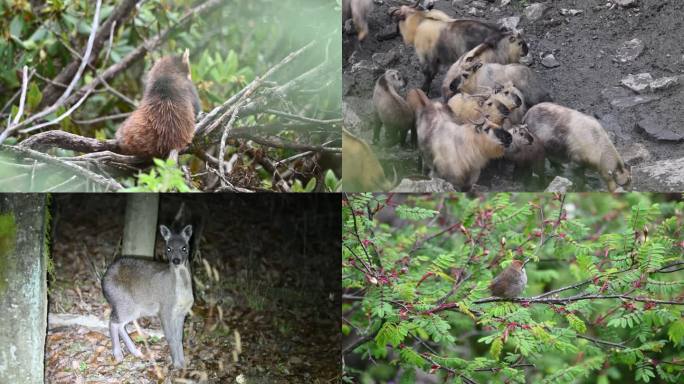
(570, 134)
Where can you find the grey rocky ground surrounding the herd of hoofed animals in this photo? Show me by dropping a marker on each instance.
(621, 61)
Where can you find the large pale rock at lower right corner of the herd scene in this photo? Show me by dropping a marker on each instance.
(661, 176)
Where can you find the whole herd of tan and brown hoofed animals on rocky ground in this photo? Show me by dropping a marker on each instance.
(491, 106)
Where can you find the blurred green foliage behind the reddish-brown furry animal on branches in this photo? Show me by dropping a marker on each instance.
(229, 46)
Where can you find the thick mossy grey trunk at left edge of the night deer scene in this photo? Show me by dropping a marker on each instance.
(23, 287)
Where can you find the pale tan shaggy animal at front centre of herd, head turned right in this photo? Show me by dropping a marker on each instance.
(456, 153)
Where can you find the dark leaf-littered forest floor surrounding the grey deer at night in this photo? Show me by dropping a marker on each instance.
(266, 305)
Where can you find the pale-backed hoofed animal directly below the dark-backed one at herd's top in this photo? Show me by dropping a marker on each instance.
(480, 76)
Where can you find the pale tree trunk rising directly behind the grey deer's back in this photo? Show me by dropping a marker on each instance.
(140, 228)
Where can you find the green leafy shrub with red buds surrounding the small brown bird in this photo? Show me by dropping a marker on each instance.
(415, 267)
